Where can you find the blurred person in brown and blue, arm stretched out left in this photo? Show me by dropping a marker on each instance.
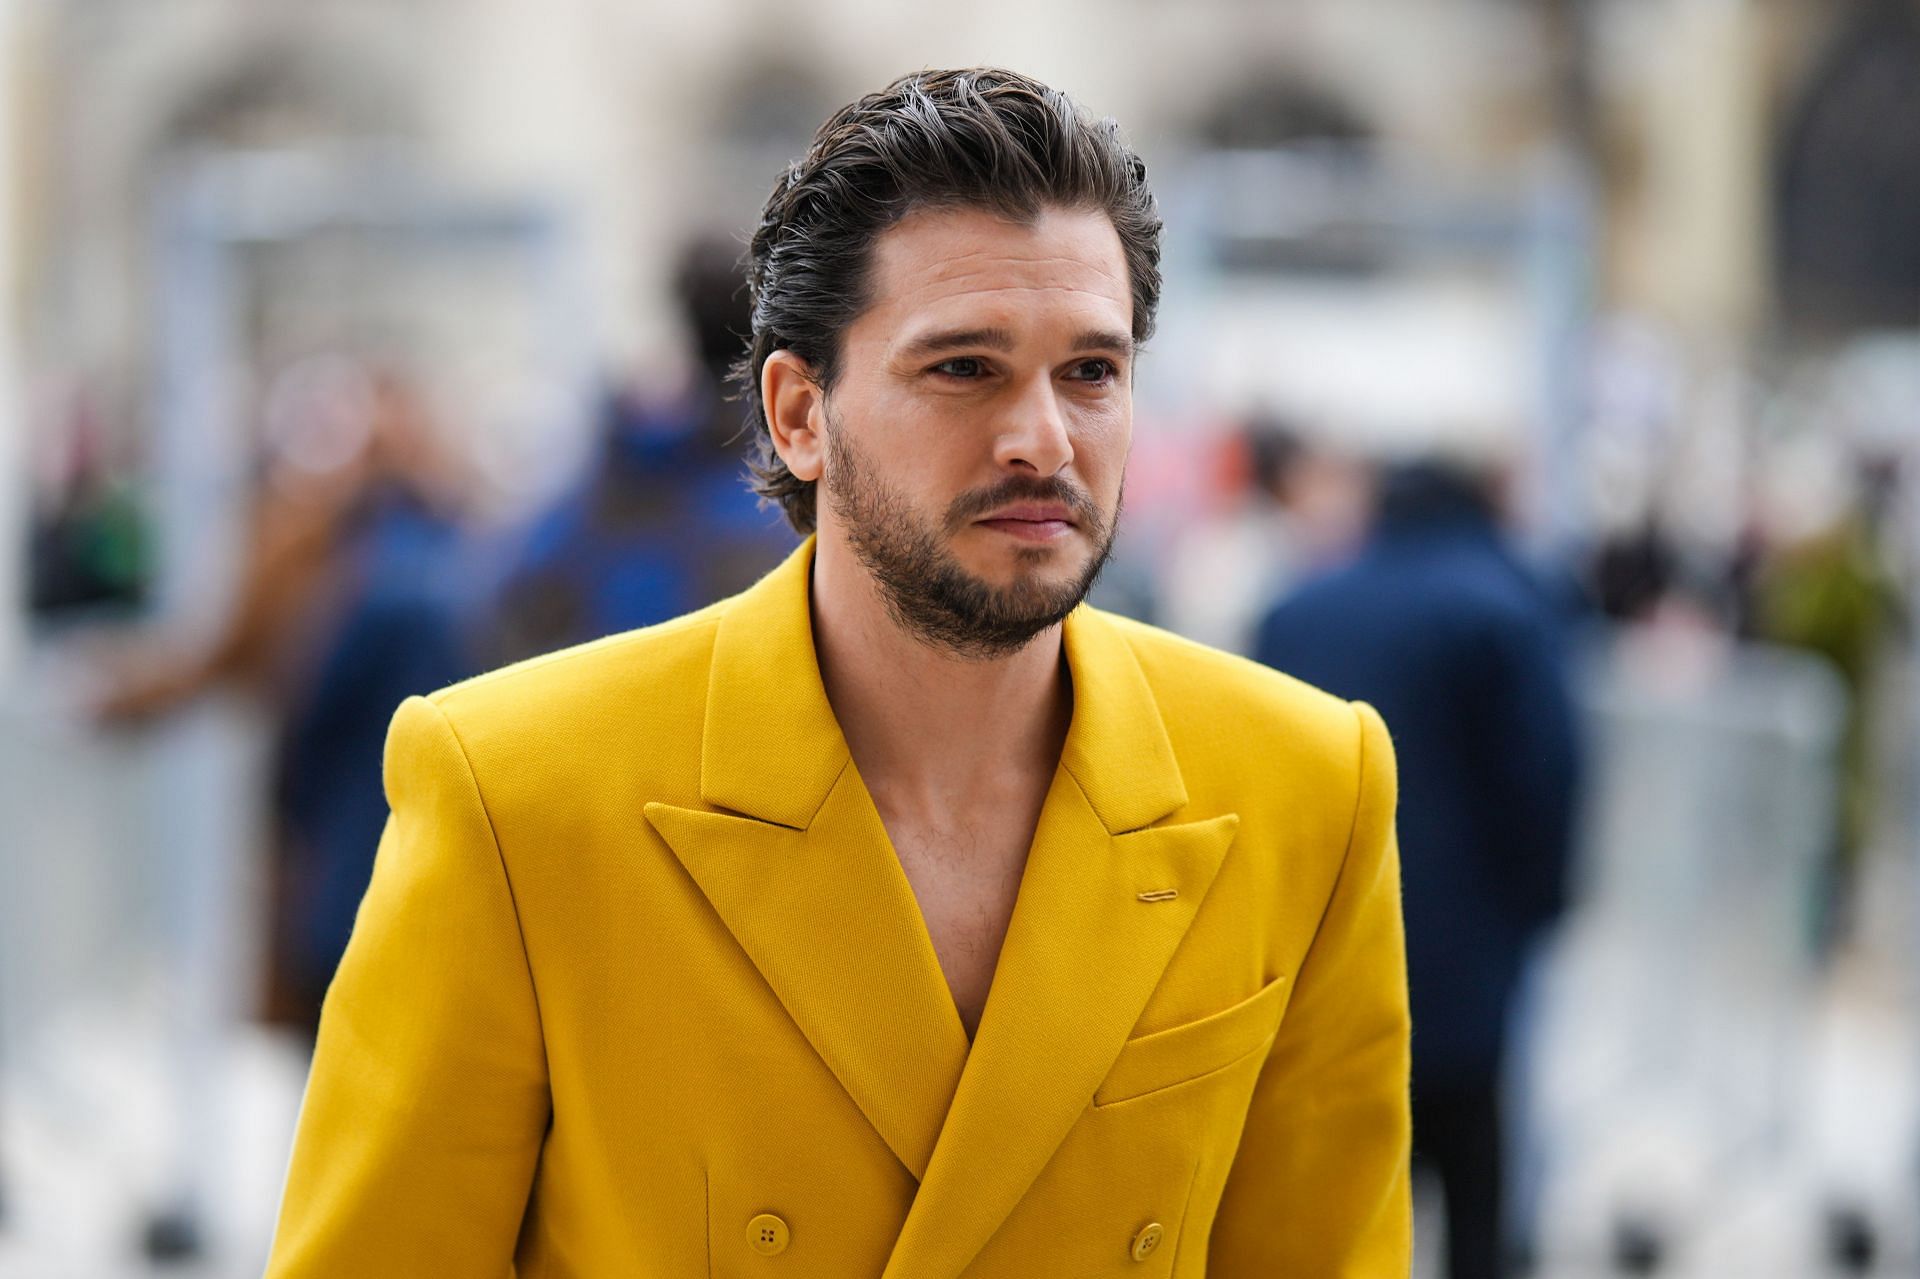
(350, 600)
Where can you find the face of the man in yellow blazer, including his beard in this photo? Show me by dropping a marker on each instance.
(980, 427)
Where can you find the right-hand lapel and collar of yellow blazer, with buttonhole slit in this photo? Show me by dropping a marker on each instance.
(1082, 955)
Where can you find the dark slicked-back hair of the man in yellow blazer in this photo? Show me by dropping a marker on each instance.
(934, 139)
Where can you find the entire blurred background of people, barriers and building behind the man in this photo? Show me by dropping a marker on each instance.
(1547, 372)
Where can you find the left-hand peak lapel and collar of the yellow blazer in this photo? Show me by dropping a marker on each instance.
(802, 873)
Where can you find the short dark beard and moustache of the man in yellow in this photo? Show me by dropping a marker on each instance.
(924, 589)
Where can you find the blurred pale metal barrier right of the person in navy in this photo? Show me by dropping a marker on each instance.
(1666, 1048)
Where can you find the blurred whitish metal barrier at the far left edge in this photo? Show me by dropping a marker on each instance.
(132, 917)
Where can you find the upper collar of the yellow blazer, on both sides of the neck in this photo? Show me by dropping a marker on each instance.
(773, 748)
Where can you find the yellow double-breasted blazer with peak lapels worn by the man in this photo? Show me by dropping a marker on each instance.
(640, 988)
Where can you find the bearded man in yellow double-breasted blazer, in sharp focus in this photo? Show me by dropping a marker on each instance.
(896, 917)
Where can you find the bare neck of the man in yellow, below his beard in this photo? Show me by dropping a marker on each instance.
(924, 723)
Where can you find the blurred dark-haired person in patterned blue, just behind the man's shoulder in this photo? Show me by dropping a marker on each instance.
(661, 523)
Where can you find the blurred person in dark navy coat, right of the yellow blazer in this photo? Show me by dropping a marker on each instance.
(1441, 627)
